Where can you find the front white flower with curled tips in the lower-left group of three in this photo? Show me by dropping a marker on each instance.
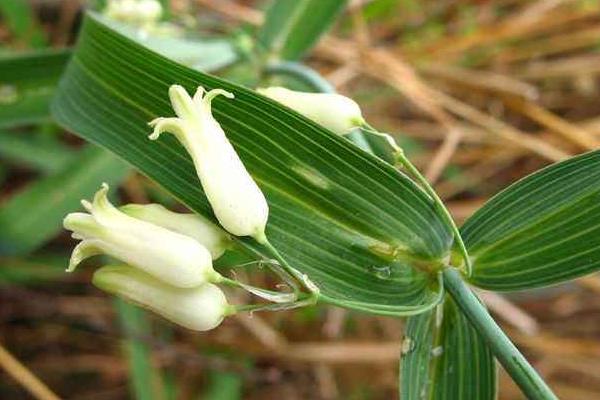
(173, 258)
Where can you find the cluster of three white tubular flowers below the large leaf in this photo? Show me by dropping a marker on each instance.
(167, 258)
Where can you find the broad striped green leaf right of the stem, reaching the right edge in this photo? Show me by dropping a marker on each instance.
(540, 231)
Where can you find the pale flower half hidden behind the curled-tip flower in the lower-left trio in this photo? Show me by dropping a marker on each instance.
(215, 239)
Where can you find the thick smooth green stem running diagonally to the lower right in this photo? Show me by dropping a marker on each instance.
(524, 375)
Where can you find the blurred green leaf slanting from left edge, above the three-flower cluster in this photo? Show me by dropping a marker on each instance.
(33, 216)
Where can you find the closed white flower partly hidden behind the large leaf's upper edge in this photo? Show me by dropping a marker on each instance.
(335, 112)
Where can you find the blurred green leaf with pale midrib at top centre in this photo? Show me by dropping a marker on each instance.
(292, 28)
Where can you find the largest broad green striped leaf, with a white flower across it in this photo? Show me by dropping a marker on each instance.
(332, 205)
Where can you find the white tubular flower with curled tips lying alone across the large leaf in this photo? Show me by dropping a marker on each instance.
(236, 199)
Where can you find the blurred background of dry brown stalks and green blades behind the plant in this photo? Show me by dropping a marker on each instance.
(479, 93)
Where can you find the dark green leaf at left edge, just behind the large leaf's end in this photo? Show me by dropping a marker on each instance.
(27, 83)
